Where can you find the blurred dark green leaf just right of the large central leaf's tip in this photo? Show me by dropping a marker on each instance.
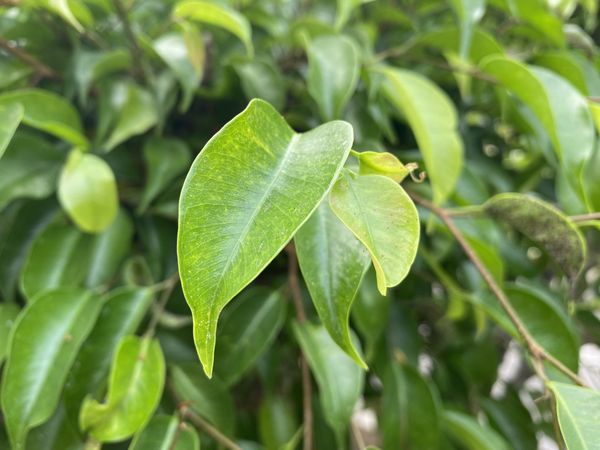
(247, 328)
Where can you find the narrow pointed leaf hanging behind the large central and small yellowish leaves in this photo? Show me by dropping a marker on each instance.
(333, 263)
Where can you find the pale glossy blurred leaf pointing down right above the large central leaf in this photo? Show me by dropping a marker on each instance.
(333, 67)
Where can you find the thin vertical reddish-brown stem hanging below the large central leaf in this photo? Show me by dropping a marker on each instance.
(294, 286)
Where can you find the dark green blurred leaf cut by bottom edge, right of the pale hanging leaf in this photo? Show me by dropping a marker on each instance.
(410, 409)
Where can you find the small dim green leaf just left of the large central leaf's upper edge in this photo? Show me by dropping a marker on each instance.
(165, 159)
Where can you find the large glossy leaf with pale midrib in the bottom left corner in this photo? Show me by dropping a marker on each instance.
(44, 343)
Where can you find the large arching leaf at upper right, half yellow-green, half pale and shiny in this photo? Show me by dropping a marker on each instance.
(561, 109)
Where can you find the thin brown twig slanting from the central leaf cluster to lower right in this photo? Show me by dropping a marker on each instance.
(538, 353)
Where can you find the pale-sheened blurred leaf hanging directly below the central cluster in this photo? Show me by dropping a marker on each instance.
(339, 379)
